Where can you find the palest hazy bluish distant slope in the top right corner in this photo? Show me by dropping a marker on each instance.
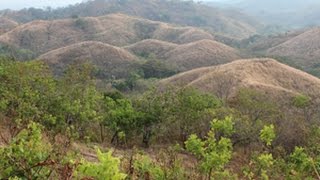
(290, 13)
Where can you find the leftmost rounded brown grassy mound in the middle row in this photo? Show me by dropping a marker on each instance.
(113, 61)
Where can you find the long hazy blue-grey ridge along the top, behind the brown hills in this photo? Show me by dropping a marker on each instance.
(228, 22)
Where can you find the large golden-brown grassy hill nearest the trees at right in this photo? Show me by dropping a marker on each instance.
(267, 75)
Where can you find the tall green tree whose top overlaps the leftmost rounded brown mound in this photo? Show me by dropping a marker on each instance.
(78, 101)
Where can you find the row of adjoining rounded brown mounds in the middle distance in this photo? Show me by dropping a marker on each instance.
(117, 62)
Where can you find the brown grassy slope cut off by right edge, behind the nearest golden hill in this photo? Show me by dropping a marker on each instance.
(305, 46)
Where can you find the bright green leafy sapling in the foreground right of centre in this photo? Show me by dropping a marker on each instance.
(212, 153)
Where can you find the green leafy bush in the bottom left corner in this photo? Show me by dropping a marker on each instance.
(25, 155)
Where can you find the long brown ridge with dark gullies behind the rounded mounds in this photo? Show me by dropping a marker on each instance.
(115, 29)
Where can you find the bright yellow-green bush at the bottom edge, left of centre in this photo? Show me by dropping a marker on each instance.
(106, 169)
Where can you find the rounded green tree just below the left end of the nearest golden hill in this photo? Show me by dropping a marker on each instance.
(189, 110)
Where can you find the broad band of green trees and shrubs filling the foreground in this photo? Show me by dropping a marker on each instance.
(251, 136)
